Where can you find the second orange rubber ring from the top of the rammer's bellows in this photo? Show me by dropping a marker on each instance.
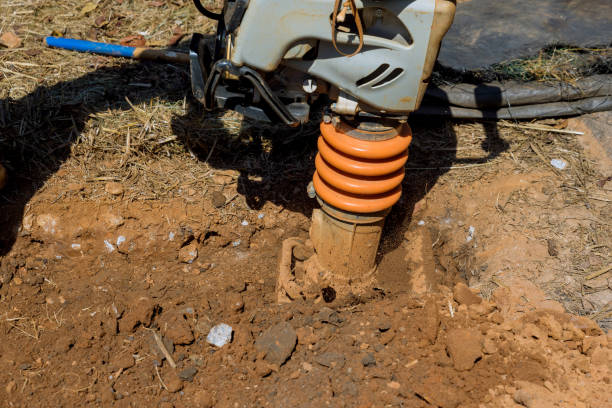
(361, 167)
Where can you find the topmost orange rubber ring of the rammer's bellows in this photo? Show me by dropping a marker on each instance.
(366, 149)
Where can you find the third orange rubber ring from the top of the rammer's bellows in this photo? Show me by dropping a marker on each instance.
(356, 184)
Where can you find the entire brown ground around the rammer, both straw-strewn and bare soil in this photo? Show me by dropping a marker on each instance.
(109, 250)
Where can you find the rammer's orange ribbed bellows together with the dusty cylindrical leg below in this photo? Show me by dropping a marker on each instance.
(357, 180)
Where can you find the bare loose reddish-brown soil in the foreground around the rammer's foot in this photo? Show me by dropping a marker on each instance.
(81, 308)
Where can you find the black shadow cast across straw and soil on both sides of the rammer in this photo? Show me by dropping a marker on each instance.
(38, 130)
